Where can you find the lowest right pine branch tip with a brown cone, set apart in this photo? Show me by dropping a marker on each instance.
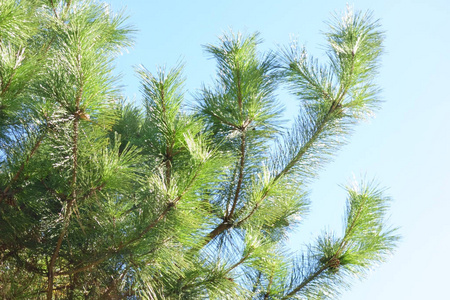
(365, 214)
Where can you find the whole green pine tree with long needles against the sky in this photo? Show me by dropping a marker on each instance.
(103, 199)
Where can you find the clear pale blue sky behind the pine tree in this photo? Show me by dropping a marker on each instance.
(405, 147)
